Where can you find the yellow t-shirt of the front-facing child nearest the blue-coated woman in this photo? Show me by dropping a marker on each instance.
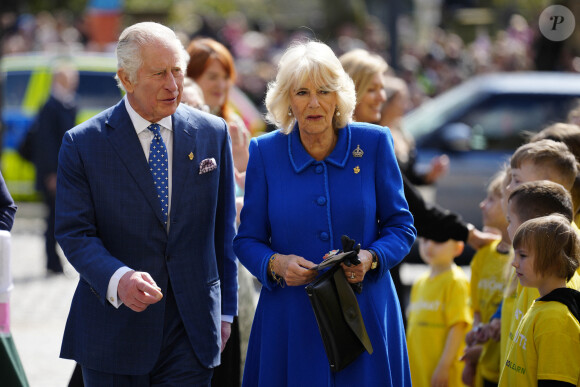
(436, 305)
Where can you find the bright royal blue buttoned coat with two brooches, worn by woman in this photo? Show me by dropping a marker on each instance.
(294, 204)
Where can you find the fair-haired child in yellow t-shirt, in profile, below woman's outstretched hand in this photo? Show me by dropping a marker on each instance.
(488, 267)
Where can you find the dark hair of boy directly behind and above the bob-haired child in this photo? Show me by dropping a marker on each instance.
(541, 198)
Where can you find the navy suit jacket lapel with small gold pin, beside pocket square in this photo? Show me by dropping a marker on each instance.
(184, 155)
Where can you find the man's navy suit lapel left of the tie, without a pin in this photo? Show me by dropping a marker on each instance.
(125, 142)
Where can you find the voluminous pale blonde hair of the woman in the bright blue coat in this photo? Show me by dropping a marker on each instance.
(313, 61)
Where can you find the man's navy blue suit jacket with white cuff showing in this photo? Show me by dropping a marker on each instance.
(109, 216)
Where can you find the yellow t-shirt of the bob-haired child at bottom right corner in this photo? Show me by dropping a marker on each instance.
(545, 346)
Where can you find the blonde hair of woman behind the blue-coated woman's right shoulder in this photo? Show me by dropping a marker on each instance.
(362, 65)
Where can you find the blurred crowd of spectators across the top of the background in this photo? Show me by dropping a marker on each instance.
(429, 68)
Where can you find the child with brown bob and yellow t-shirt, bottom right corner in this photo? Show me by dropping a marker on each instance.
(545, 348)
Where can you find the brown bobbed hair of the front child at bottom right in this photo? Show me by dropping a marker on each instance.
(554, 244)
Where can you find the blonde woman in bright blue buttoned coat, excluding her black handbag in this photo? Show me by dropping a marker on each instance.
(319, 177)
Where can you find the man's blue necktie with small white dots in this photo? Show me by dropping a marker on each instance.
(158, 164)
